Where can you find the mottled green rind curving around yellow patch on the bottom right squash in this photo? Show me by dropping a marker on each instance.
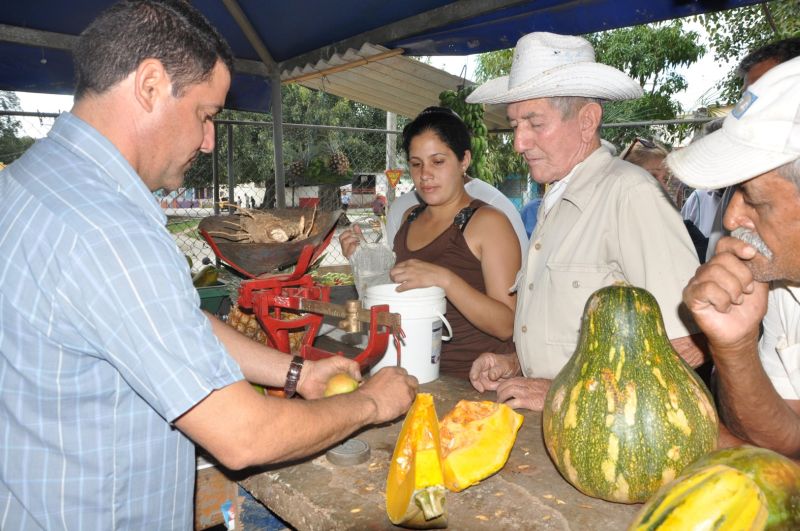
(777, 476)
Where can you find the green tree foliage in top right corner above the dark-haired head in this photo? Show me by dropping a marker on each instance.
(736, 32)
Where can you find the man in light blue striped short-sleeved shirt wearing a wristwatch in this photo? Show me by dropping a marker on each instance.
(108, 368)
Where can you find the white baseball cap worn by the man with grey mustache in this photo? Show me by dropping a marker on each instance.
(760, 134)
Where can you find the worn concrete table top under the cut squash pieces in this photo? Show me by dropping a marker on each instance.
(528, 493)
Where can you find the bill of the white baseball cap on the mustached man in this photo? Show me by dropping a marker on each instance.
(718, 160)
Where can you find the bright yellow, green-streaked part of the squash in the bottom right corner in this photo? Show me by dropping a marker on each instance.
(716, 497)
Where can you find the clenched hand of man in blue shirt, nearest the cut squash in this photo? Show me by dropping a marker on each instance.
(392, 390)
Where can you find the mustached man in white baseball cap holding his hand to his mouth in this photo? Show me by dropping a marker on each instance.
(758, 149)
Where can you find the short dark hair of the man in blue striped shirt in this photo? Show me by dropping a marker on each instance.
(130, 31)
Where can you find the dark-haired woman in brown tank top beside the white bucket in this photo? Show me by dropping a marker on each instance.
(462, 245)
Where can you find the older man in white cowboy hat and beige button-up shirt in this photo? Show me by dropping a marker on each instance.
(602, 220)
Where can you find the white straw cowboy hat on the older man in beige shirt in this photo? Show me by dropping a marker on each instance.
(548, 65)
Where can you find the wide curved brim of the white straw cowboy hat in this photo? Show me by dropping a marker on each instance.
(587, 79)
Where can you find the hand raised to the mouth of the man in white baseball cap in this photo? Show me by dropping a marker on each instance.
(725, 300)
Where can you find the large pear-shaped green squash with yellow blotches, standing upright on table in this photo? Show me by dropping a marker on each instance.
(626, 414)
